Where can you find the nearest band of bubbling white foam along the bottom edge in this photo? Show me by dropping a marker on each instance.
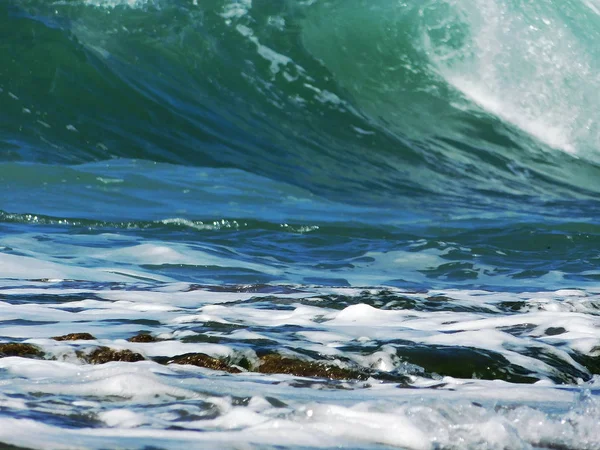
(417, 426)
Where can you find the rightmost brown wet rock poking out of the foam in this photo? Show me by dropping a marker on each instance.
(275, 363)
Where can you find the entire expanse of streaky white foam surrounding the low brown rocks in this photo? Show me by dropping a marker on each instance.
(139, 403)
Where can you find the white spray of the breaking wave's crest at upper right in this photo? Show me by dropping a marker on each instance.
(525, 64)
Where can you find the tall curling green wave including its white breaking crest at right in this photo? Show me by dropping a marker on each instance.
(378, 103)
